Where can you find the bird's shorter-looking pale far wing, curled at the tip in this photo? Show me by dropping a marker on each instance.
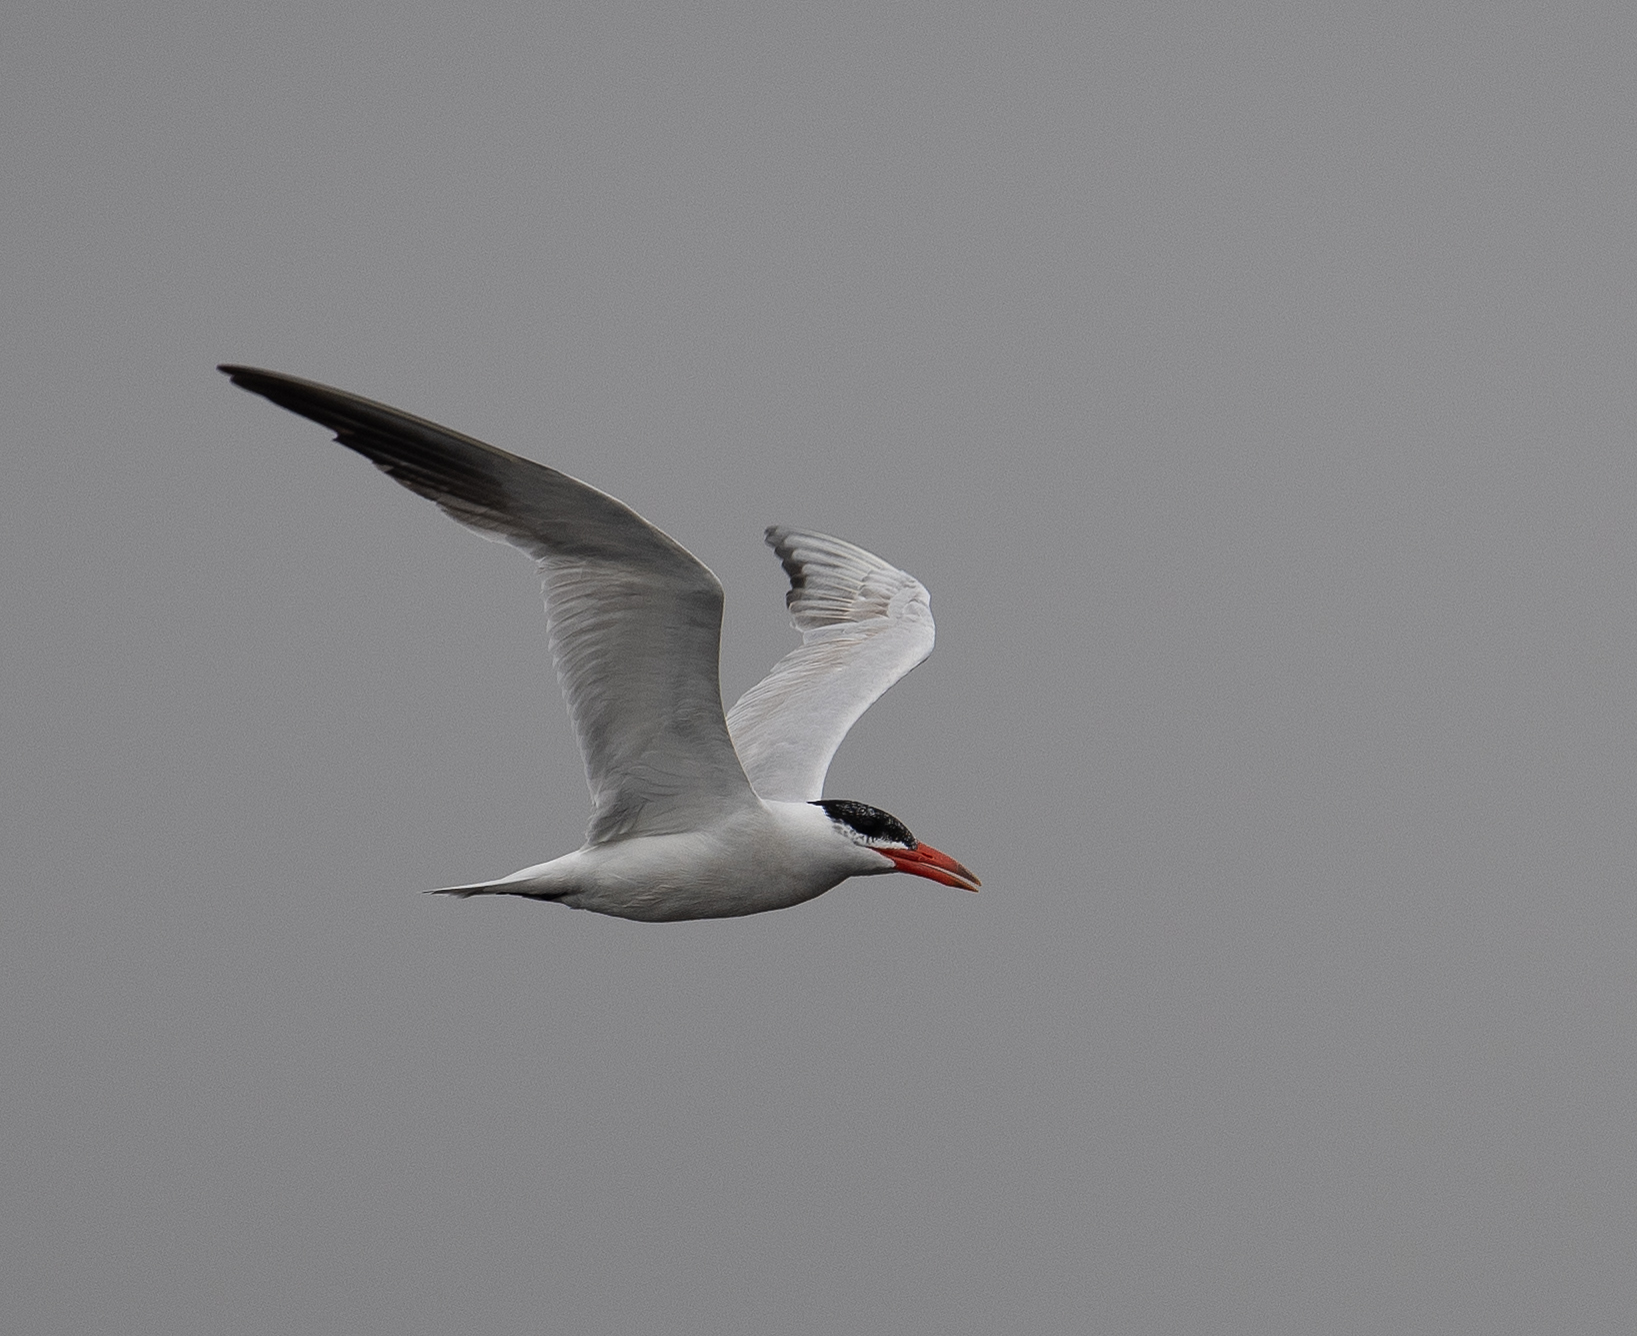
(864, 625)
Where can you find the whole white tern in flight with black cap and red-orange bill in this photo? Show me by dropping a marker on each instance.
(697, 813)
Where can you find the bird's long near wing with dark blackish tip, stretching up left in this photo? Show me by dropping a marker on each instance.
(634, 618)
